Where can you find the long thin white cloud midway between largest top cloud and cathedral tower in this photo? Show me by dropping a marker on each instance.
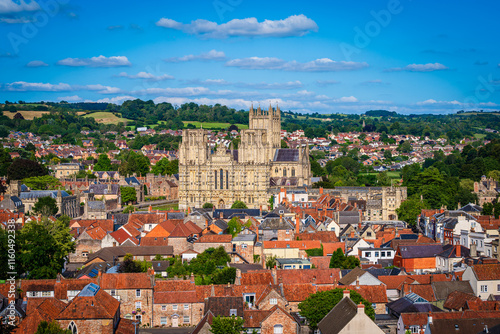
(318, 65)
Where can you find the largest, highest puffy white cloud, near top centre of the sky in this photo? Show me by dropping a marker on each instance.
(295, 25)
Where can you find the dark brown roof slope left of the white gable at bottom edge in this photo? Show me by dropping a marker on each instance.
(338, 317)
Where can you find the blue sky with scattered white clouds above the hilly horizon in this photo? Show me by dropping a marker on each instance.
(316, 56)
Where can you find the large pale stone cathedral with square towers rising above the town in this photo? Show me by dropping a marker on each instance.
(246, 174)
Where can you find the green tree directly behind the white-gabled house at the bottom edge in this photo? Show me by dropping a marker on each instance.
(315, 307)
